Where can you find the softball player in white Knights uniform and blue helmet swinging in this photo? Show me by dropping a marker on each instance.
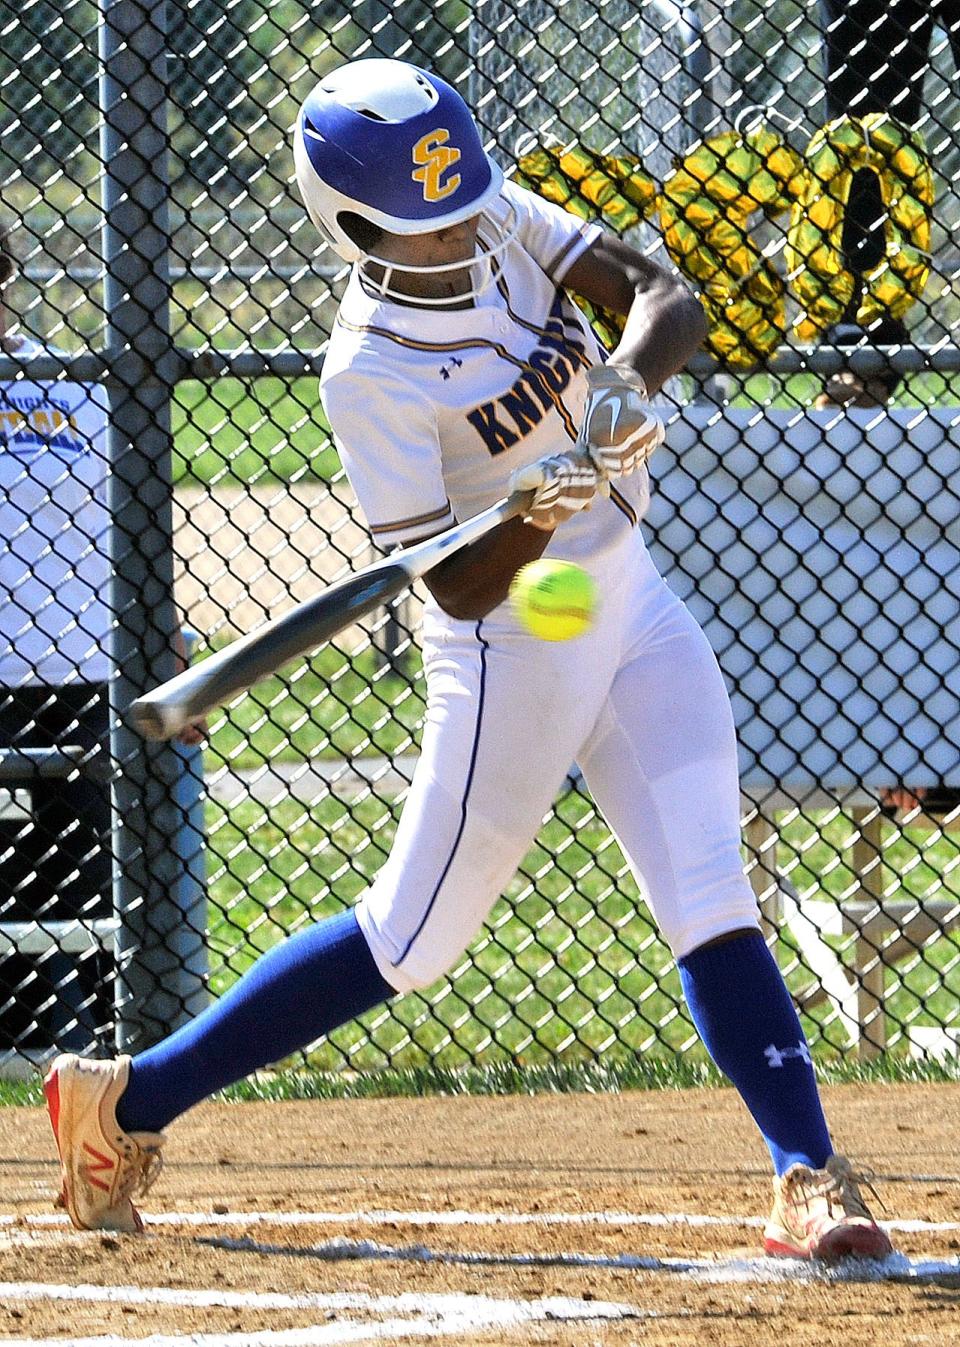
(460, 370)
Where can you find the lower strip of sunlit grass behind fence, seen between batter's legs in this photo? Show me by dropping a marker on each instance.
(570, 968)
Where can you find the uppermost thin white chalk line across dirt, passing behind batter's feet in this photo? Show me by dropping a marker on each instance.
(461, 1218)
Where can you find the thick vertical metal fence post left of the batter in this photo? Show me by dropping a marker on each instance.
(153, 987)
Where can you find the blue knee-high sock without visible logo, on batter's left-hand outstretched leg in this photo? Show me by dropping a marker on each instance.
(296, 993)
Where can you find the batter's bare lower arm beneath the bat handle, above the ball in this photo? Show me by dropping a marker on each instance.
(475, 581)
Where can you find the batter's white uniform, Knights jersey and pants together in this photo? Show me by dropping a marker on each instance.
(432, 413)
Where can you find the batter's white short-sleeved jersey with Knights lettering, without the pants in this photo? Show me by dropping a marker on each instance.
(433, 410)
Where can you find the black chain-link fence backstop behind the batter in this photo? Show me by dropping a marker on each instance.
(162, 332)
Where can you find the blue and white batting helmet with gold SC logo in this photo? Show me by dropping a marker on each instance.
(394, 145)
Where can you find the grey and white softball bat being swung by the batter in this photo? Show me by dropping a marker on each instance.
(164, 712)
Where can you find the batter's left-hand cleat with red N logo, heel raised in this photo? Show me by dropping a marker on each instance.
(102, 1166)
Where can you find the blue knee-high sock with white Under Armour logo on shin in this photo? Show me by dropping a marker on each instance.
(745, 1016)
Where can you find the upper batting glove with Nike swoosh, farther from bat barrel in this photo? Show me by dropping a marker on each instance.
(620, 432)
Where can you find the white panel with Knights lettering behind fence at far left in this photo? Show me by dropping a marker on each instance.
(55, 533)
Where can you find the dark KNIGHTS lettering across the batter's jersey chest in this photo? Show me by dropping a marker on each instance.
(506, 421)
